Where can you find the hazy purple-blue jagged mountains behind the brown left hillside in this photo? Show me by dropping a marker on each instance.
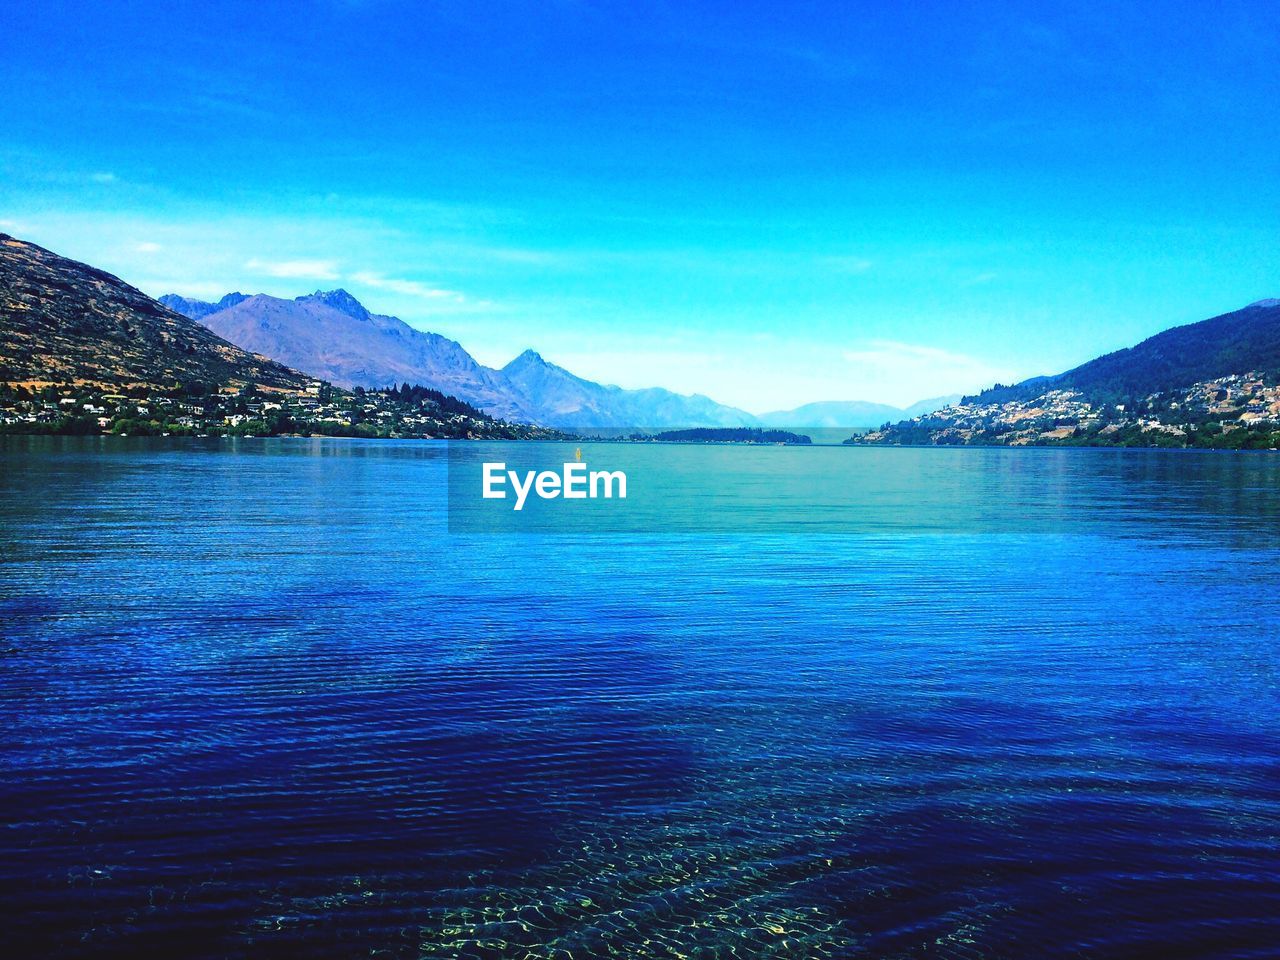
(333, 337)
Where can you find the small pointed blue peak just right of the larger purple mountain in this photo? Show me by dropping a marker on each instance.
(560, 399)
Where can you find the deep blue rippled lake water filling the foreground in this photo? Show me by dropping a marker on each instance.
(259, 702)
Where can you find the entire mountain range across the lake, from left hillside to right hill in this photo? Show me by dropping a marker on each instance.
(68, 323)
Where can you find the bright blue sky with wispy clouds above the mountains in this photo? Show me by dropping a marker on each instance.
(771, 204)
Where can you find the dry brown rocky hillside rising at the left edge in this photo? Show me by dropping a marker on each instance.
(68, 323)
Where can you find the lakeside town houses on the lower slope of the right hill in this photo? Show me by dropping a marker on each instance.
(1231, 413)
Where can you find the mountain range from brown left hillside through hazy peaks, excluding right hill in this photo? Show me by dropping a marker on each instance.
(68, 323)
